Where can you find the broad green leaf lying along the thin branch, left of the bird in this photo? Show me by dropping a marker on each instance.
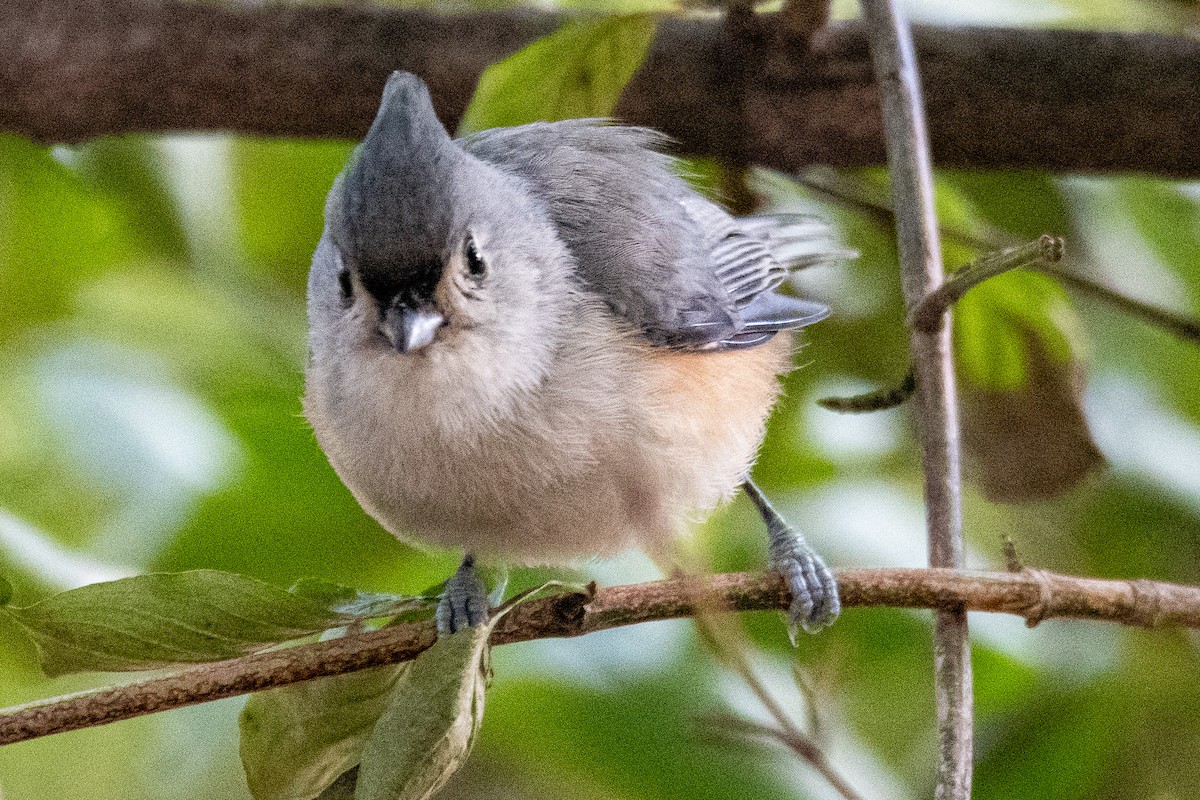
(160, 619)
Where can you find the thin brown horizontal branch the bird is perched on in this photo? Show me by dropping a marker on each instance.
(1034, 594)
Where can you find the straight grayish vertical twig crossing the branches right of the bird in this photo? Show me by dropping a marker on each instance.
(921, 267)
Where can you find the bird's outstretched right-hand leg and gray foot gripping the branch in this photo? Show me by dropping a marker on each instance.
(815, 601)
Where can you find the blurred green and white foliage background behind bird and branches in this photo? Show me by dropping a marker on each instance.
(152, 347)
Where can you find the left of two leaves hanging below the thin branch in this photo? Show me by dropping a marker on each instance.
(297, 742)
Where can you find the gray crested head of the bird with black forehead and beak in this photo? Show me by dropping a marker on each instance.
(427, 243)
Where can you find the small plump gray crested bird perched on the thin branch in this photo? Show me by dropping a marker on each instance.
(539, 344)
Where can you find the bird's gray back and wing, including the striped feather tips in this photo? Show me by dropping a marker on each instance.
(677, 267)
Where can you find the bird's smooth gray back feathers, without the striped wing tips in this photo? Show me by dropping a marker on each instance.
(631, 222)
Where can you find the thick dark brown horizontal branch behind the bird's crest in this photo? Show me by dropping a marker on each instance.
(1059, 100)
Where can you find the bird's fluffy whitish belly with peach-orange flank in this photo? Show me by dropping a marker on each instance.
(548, 484)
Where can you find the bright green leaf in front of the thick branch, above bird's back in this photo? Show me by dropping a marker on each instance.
(578, 71)
